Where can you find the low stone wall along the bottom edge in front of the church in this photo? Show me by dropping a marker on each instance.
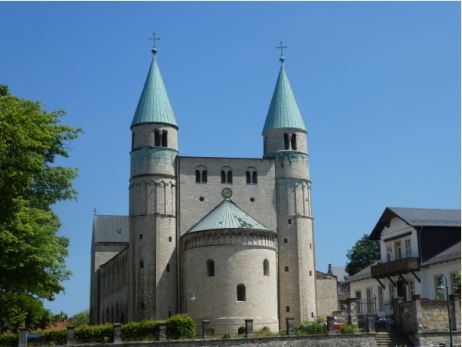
(357, 340)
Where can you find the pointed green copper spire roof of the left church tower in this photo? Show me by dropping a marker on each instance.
(154, 104)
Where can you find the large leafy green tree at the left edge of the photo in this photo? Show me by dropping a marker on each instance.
(32, 256)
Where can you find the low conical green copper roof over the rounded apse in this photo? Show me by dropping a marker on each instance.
(227, 215)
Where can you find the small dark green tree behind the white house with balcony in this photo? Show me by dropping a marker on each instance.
(363, 254)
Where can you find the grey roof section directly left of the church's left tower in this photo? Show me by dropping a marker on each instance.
(110, 229)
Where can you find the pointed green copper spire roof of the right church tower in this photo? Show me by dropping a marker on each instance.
(283, 111)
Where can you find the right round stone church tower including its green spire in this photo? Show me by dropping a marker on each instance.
(285, 140)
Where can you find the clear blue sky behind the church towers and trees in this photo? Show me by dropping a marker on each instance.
(378, 85)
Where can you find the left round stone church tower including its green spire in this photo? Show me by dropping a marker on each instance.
(152, 203)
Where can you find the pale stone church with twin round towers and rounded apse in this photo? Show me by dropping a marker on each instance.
(222, 239)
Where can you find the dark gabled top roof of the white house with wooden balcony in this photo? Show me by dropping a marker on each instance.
(417, 217)
